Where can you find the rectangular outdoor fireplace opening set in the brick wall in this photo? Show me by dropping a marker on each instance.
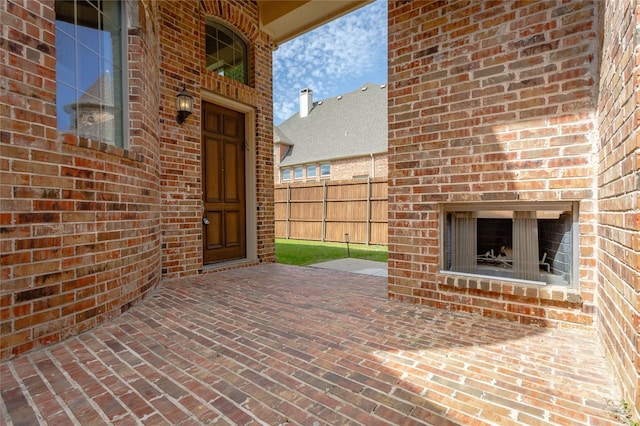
(530, 242)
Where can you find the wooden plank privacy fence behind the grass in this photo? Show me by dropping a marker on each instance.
(327, 210)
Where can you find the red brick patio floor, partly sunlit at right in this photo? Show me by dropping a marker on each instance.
(276, 345)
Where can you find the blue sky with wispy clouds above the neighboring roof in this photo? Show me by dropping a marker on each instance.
(337, 58)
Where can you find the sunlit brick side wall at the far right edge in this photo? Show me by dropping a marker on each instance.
(618, 226)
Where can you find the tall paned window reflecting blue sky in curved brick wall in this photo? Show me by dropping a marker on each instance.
(90, 68)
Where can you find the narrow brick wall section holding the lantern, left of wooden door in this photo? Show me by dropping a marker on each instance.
(180, 171)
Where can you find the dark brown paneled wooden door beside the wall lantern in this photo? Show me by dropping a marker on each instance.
(223, 175)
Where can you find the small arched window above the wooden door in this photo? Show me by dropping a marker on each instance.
(226, 52)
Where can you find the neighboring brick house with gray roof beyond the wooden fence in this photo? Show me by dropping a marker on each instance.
(340, 138)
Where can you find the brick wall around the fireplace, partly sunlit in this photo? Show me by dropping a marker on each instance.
(489, 102)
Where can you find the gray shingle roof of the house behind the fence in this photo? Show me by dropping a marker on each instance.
(350, 125)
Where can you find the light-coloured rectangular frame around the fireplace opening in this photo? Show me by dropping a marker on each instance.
(560, 206)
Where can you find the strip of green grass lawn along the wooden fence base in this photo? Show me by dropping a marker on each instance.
(298, 252)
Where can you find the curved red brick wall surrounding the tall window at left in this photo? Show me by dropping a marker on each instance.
(80, 219)
